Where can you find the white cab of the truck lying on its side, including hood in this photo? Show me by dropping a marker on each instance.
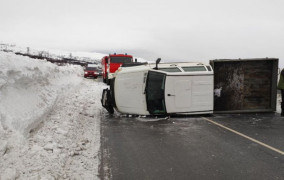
(172, 88)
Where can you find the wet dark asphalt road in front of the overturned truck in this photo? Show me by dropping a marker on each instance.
(191, 148)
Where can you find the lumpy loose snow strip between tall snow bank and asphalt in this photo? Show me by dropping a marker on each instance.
(67, 144)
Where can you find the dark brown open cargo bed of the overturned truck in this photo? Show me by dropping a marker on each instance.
(245, 85)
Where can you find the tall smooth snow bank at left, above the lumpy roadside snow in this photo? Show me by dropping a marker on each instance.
(29, 88)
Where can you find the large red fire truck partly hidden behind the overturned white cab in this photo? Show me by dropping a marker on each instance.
(112, 62)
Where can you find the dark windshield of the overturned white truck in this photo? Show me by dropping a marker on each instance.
(155, 90)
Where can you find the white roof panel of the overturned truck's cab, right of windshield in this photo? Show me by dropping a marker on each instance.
(189, 94)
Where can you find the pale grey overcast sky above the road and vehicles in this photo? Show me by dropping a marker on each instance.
(175, 30)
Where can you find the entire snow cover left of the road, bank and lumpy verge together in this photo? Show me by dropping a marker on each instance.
(49, 120)
